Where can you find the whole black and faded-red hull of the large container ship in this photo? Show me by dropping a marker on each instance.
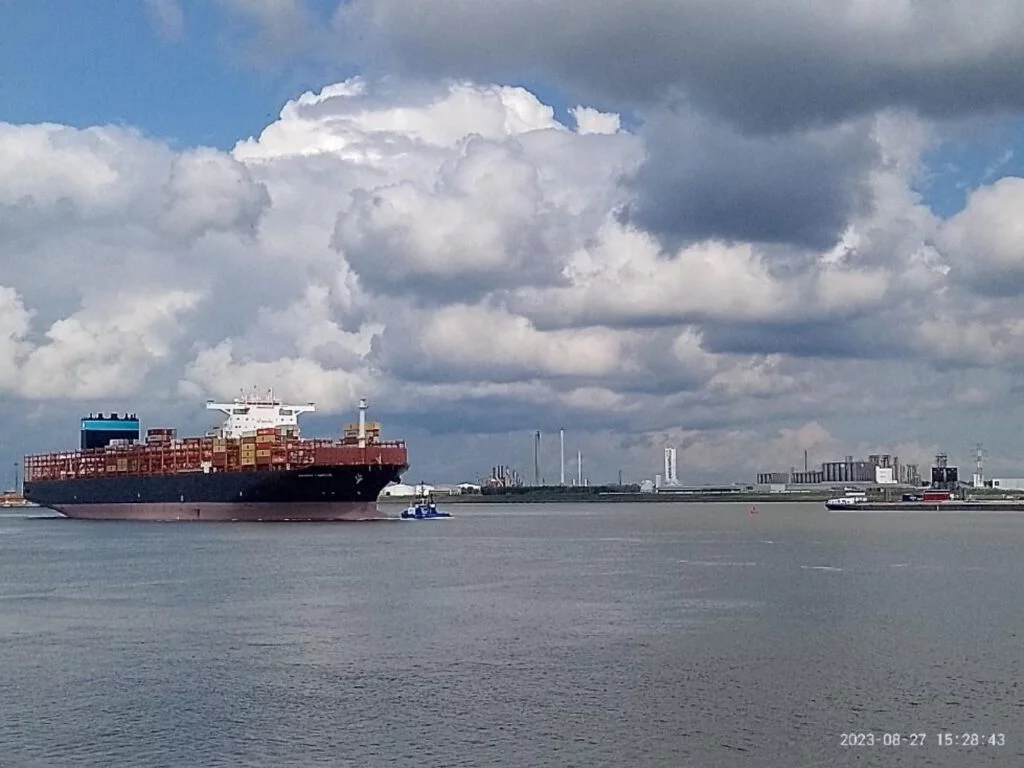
(329, 493)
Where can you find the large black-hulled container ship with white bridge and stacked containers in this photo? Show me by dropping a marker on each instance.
(255, 467)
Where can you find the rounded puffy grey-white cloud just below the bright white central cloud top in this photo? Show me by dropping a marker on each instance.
(485, 222)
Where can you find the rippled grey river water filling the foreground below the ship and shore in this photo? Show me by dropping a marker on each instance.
(584, 635)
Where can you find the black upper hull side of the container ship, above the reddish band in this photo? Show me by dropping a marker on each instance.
(310, 486)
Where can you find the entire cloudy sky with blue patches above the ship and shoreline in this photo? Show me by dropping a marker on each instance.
(744, 229)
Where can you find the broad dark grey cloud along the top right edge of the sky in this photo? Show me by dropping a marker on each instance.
(765, 65)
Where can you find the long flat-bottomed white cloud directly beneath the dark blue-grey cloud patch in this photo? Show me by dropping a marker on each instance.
(623, 279)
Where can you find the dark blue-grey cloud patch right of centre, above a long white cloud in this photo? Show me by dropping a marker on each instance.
(703, 181)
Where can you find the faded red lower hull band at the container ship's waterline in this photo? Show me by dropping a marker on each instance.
(227, 513)
